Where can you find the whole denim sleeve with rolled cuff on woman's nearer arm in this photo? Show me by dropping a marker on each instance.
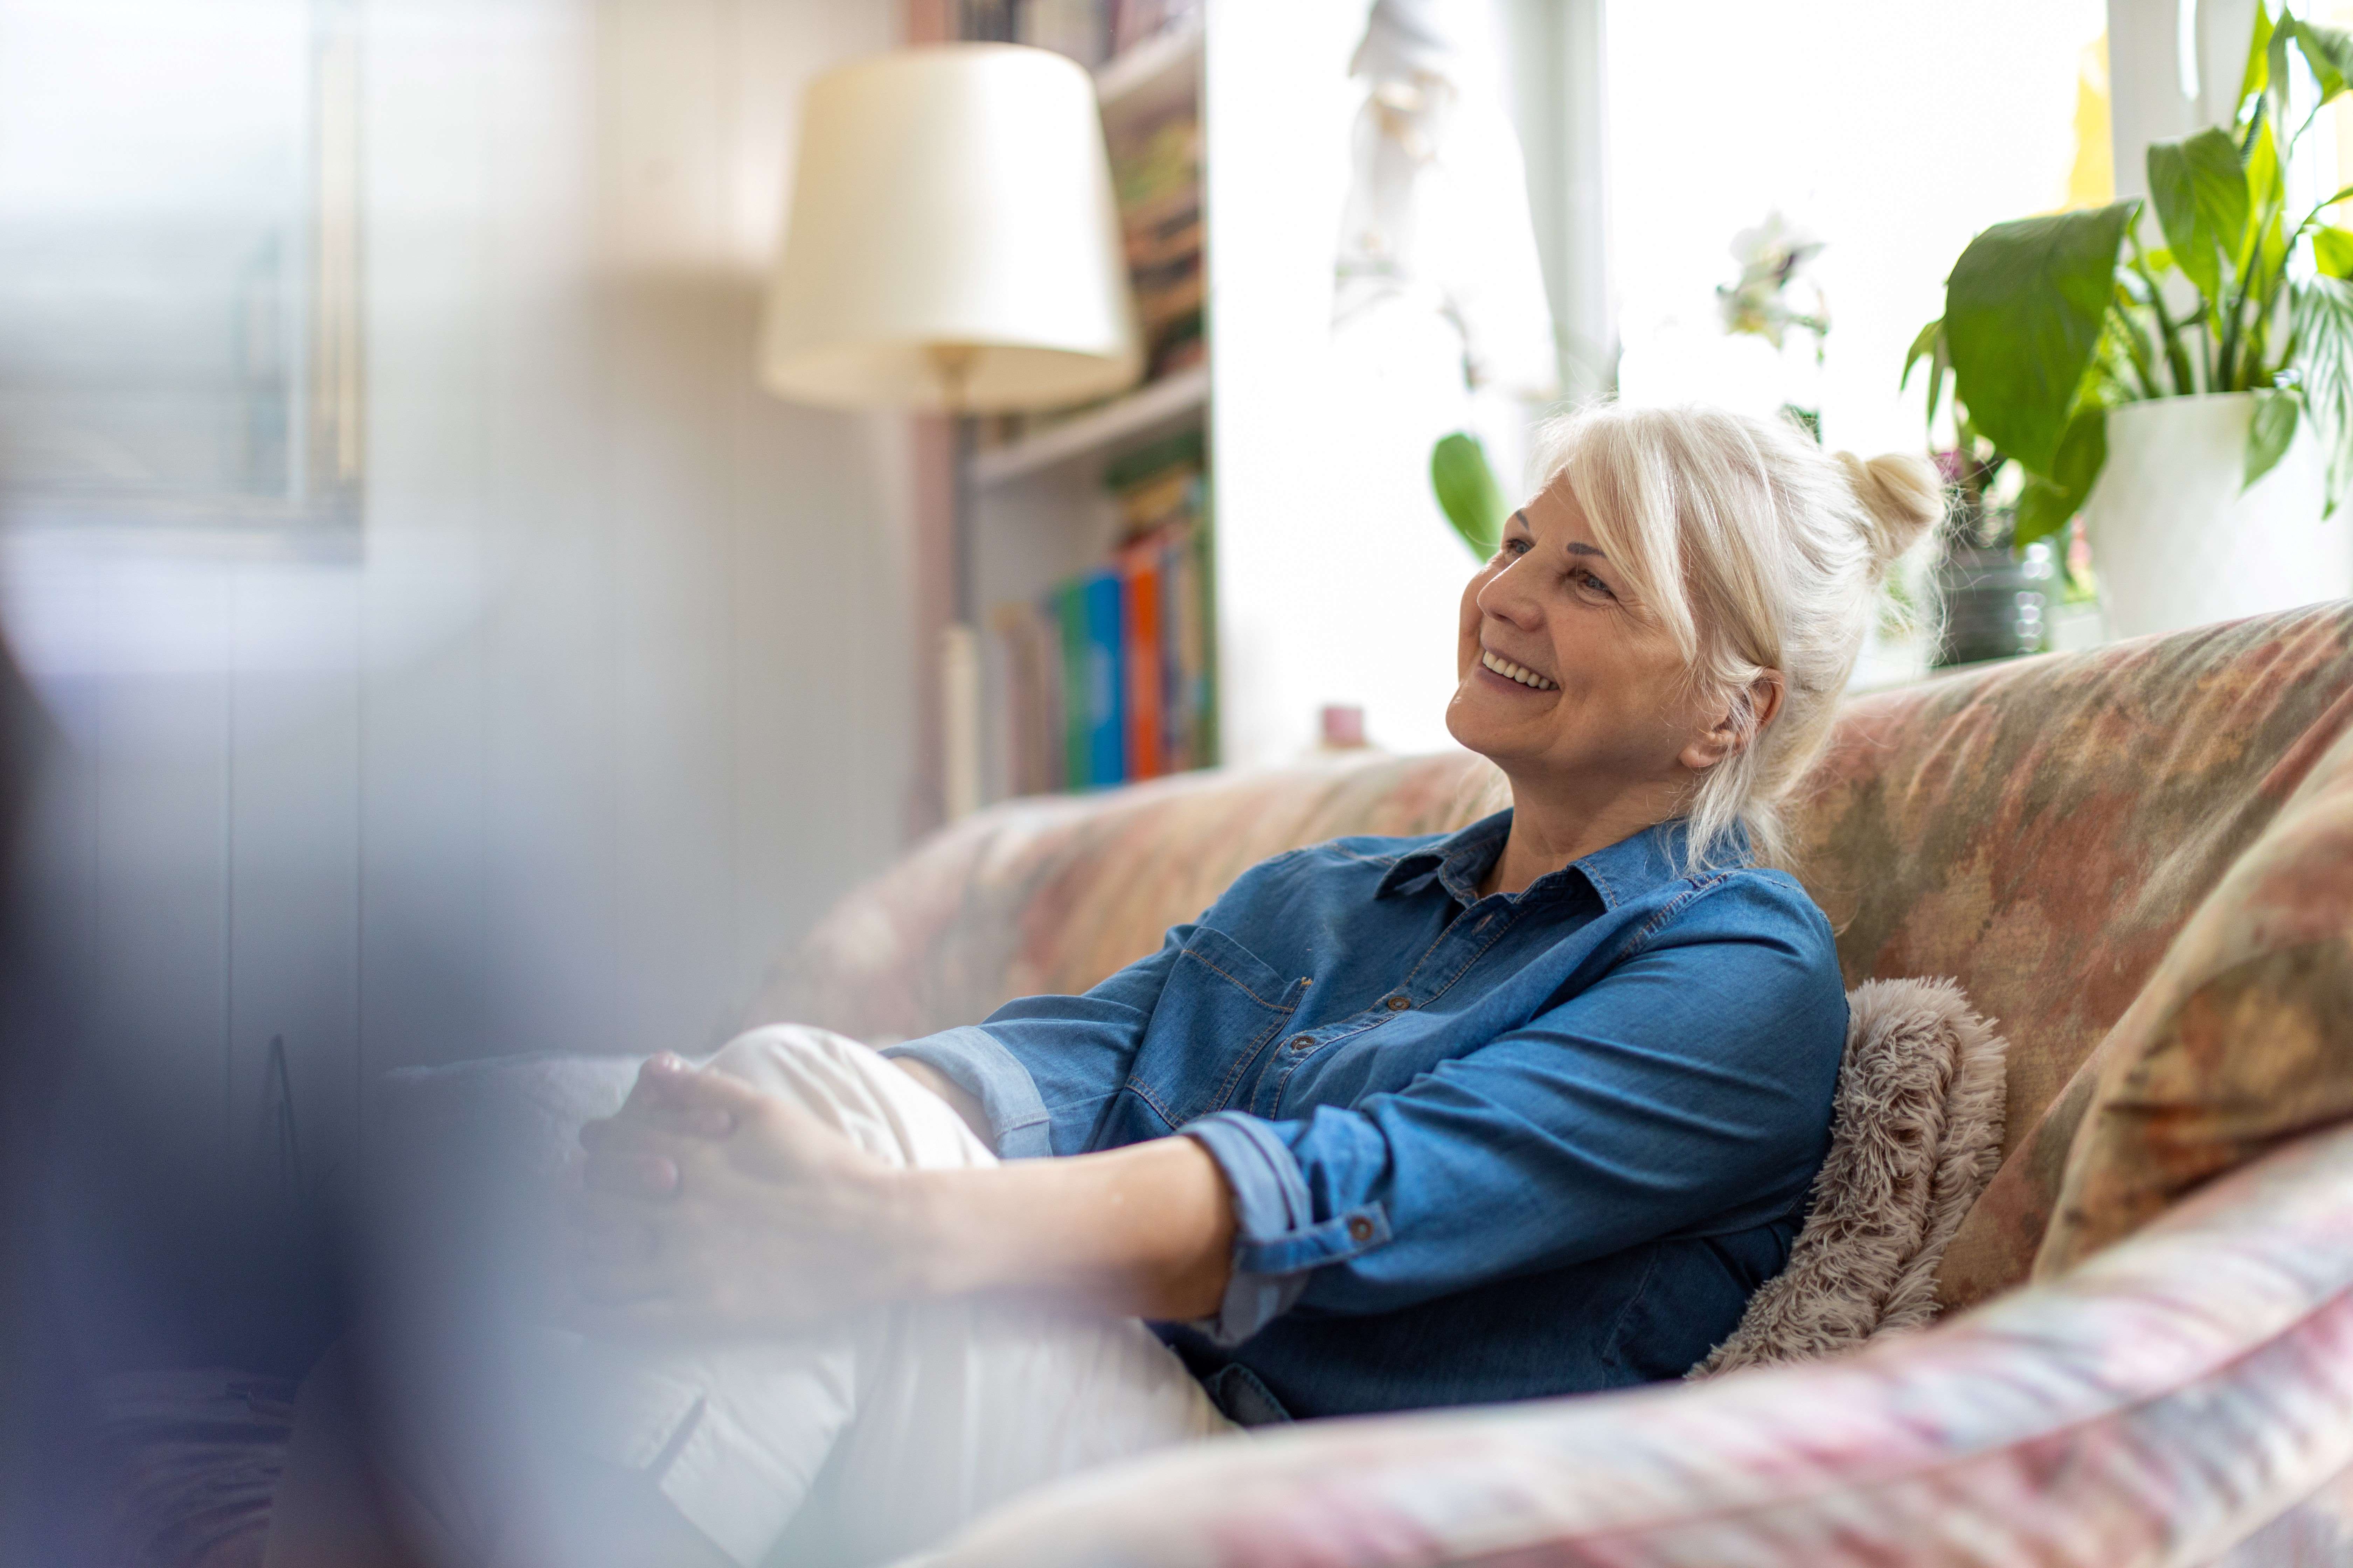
(1686, 1092)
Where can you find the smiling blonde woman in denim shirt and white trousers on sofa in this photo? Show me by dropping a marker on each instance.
(1521, 1111)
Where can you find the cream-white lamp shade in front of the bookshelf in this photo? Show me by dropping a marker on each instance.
(959, 199)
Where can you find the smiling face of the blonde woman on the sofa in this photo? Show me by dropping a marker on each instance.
(1561, 676)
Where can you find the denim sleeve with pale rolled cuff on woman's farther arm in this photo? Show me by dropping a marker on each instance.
(1044, 1068)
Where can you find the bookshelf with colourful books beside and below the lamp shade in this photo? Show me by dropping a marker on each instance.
(1091, 525)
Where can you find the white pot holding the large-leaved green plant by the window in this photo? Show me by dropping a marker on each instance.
(2175, 542)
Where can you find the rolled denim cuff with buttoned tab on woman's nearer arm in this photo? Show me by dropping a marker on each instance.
(1277, 1240)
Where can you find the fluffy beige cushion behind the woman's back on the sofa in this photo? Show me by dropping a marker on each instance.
(1917, 1132)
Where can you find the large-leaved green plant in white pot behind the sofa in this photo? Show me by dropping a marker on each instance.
(2192, 389)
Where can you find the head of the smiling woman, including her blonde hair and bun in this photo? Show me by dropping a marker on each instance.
(1679, 582)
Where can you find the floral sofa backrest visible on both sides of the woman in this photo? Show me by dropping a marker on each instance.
(2037, 831)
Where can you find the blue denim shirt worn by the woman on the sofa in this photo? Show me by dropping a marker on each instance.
(1481, 1148)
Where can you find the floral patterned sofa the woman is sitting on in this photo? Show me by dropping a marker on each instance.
(2138, 862)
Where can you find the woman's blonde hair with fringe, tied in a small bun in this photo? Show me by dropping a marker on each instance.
(1757, 551)
